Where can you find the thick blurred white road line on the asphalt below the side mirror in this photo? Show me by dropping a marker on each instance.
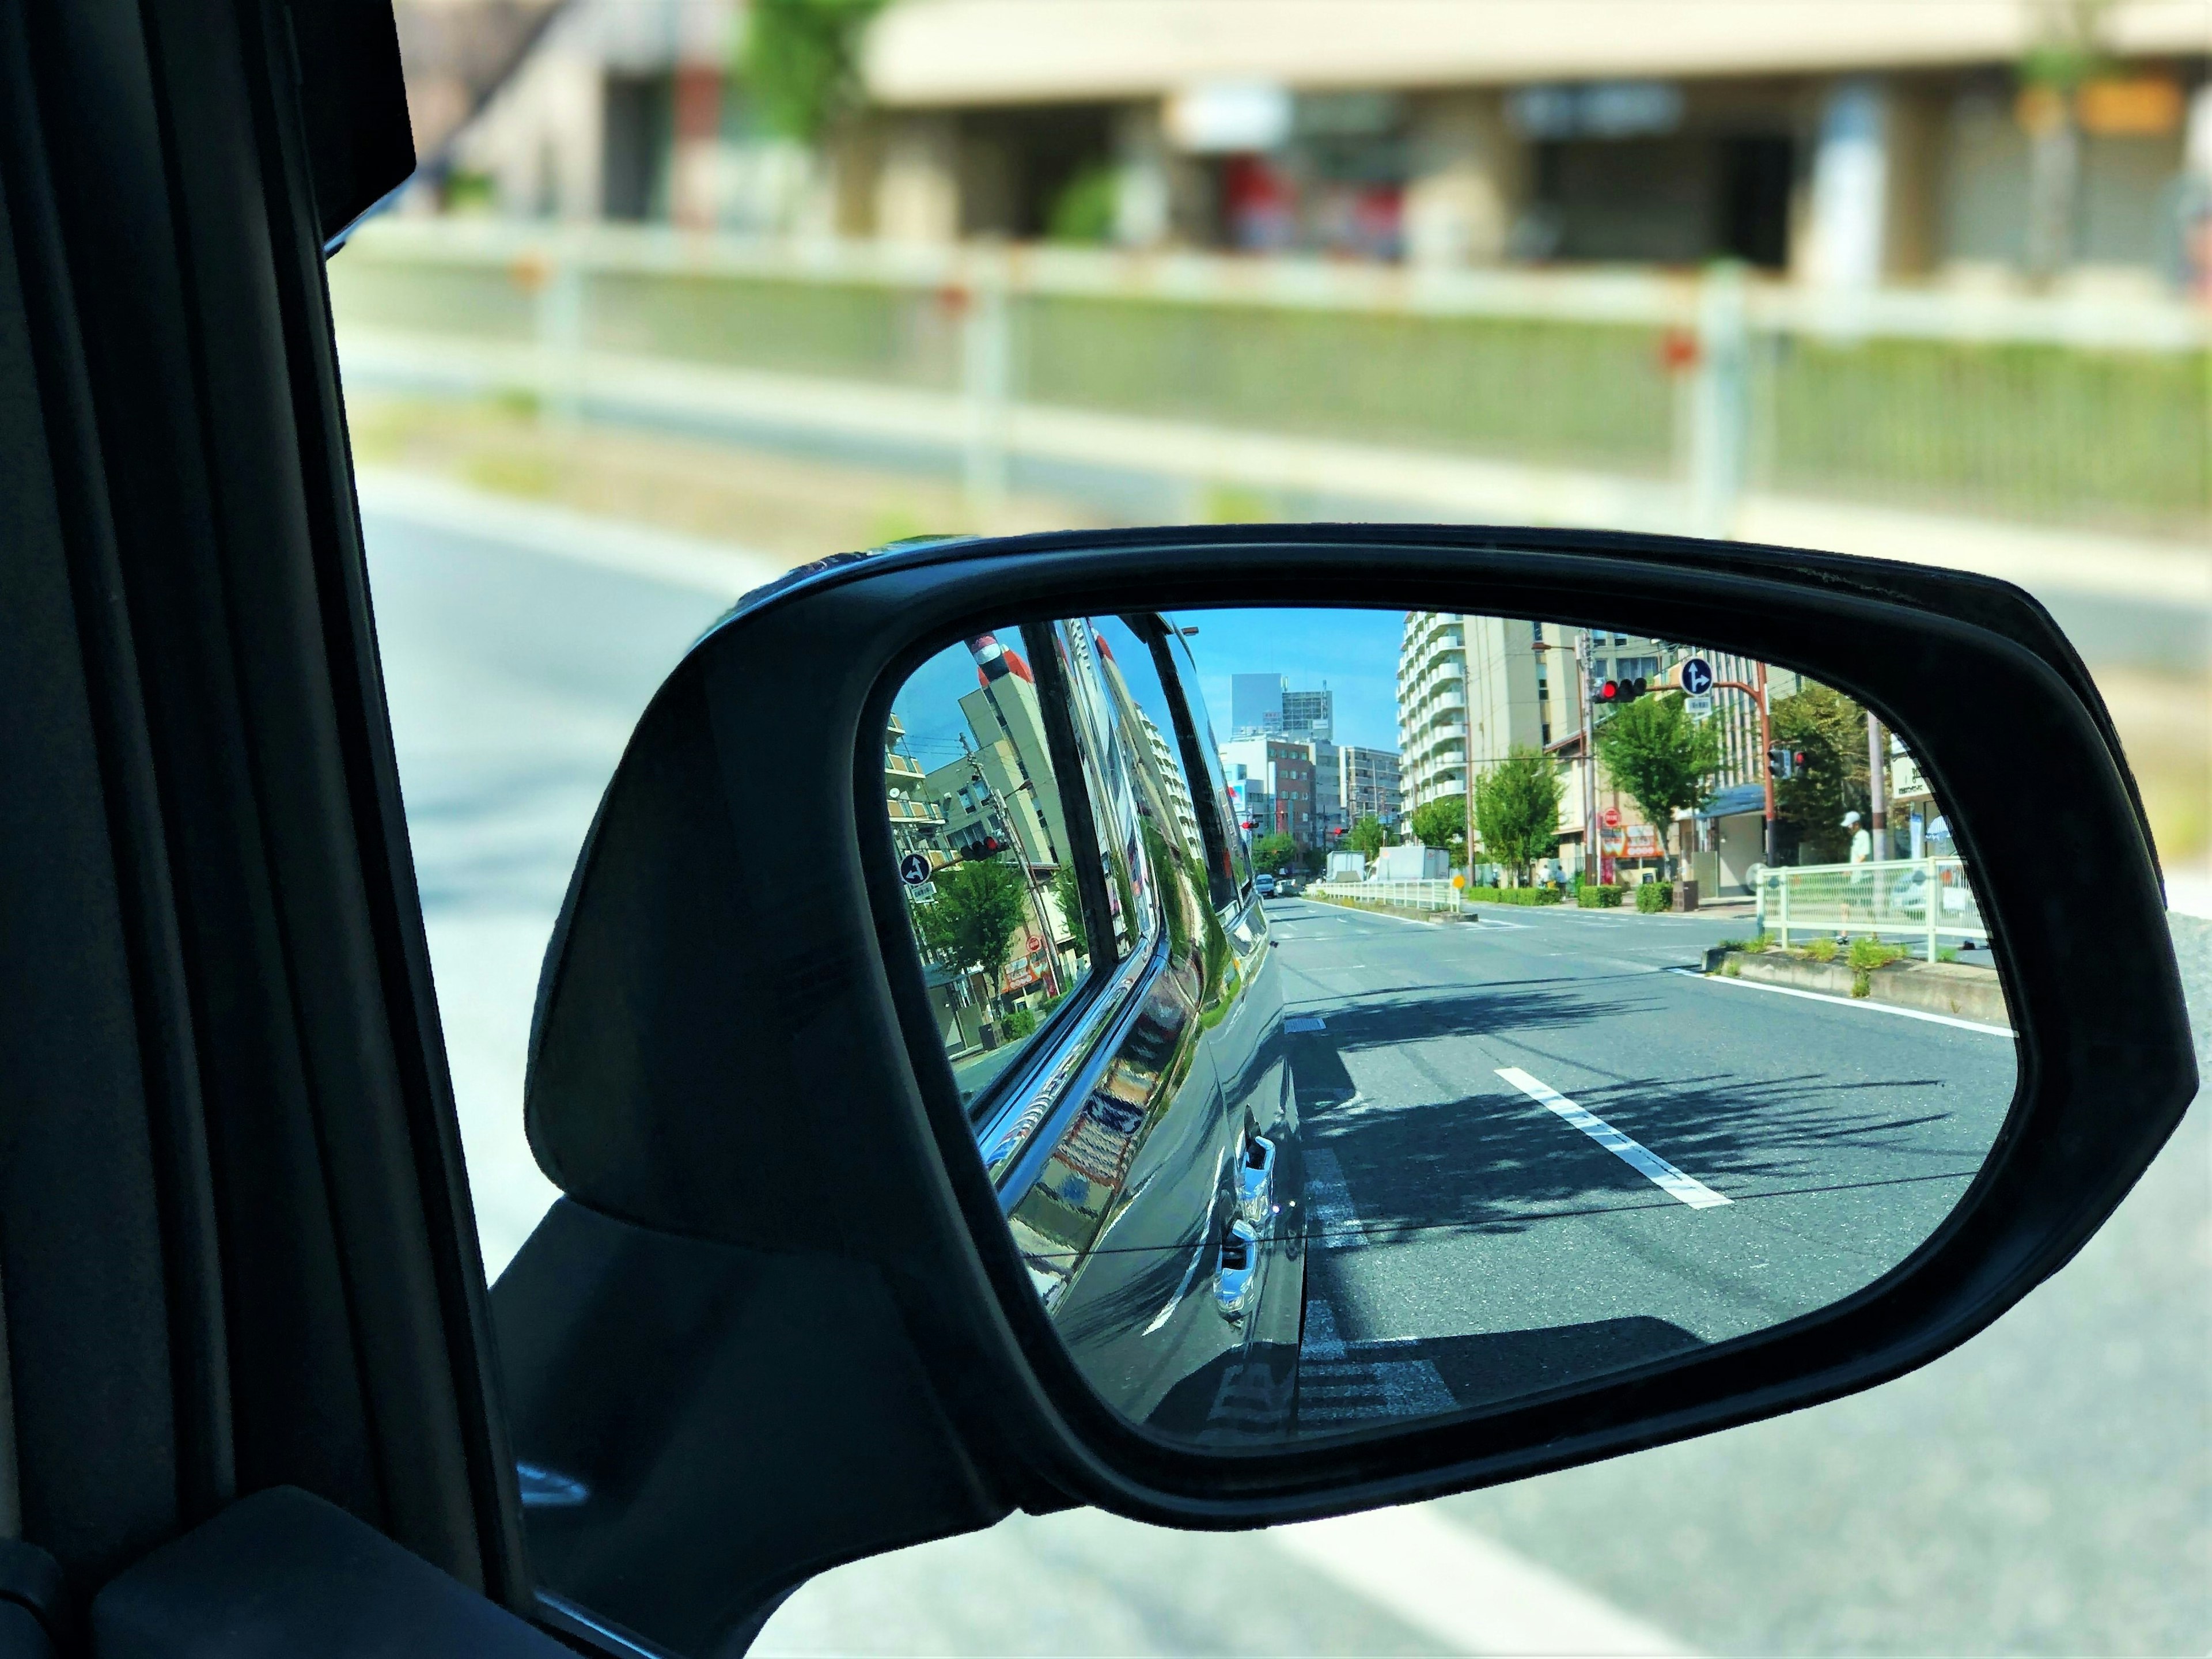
(1465, 1592)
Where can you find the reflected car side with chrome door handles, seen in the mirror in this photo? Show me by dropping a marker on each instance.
(1149, 1160)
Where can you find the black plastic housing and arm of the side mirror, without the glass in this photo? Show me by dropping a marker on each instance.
(724, 1078)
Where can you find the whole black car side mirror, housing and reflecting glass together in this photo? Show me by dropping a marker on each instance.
(848, 1162)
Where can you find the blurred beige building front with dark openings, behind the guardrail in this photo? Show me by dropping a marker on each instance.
(1835, 145)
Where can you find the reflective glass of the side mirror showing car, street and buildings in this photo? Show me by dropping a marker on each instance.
(1326, 1092)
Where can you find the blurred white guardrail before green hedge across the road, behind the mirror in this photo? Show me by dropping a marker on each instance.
(1605, 397)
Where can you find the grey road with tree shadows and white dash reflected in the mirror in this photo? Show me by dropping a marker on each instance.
(1538, 1151)
